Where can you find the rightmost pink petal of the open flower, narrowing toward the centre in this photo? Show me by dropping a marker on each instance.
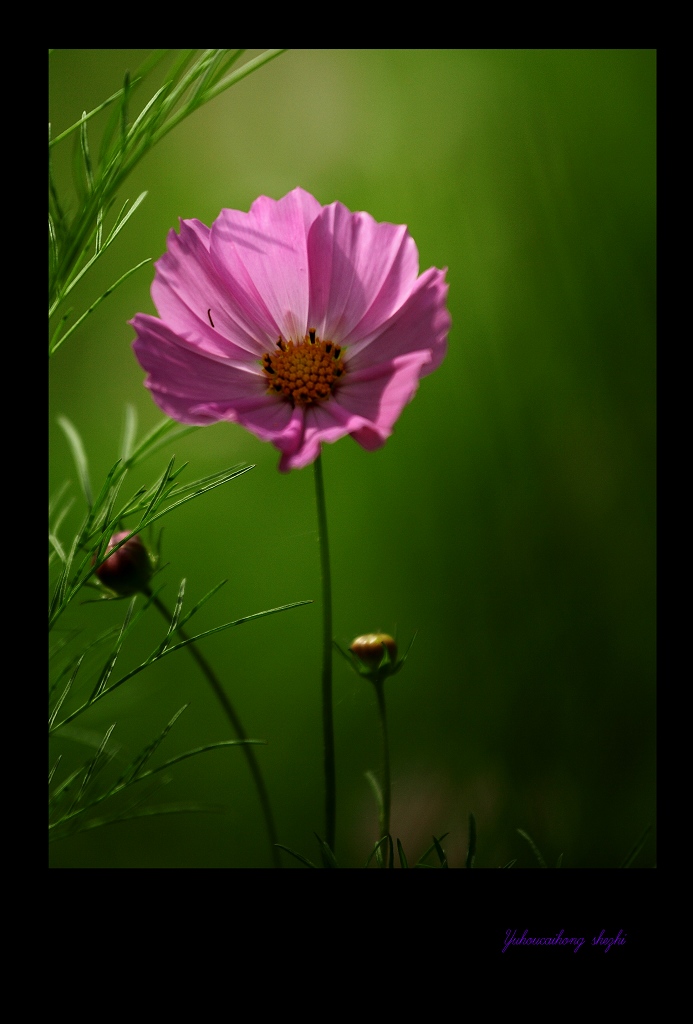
(420, 325)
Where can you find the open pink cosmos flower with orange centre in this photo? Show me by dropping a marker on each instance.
(302, 323)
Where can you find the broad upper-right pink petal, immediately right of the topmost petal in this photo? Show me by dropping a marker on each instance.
(362, 272)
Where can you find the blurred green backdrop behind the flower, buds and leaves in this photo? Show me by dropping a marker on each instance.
(511, 518)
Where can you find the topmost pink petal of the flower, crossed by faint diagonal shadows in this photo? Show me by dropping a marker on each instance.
(264, 258)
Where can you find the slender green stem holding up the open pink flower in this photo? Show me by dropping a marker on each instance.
(328, 727)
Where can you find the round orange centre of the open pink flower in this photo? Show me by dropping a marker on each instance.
(306, 374)
